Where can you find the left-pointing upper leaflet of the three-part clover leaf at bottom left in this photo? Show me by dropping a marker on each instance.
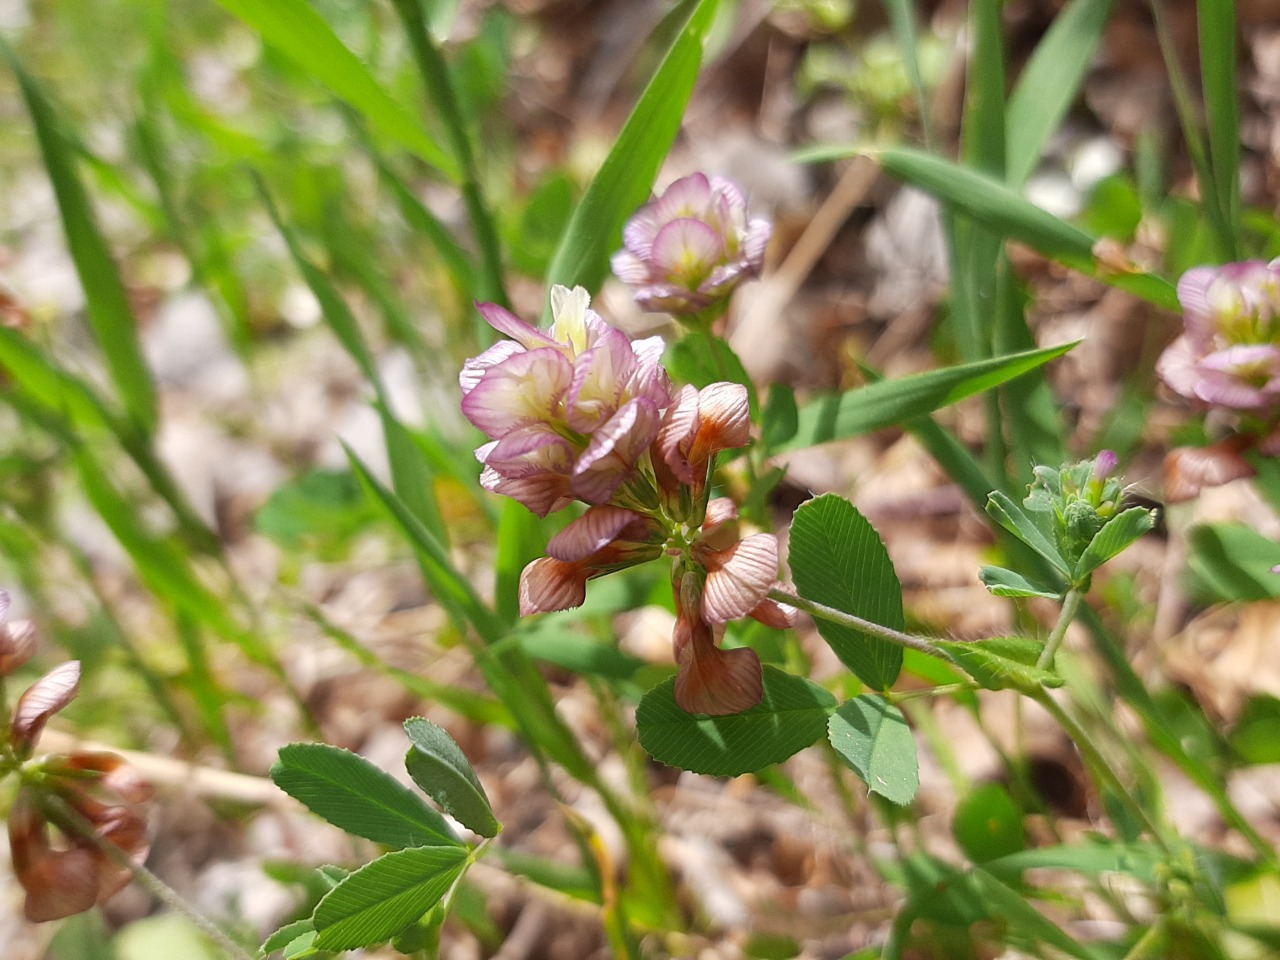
(351, 793)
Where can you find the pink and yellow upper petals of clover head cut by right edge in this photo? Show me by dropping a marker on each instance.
(1229, 355)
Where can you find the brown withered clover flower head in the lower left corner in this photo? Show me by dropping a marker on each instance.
(92, 799)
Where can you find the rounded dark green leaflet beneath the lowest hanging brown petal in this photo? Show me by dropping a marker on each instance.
(792, 717)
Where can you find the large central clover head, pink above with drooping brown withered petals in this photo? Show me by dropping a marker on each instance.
(580, 413)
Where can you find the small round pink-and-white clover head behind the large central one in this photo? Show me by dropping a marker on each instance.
(692, 248)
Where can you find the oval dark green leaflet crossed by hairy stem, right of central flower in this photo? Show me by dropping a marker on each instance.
(839, 560)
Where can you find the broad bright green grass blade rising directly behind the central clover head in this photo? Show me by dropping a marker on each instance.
(627, 177)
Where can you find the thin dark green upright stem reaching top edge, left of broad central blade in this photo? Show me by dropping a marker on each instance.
(440, 90)
